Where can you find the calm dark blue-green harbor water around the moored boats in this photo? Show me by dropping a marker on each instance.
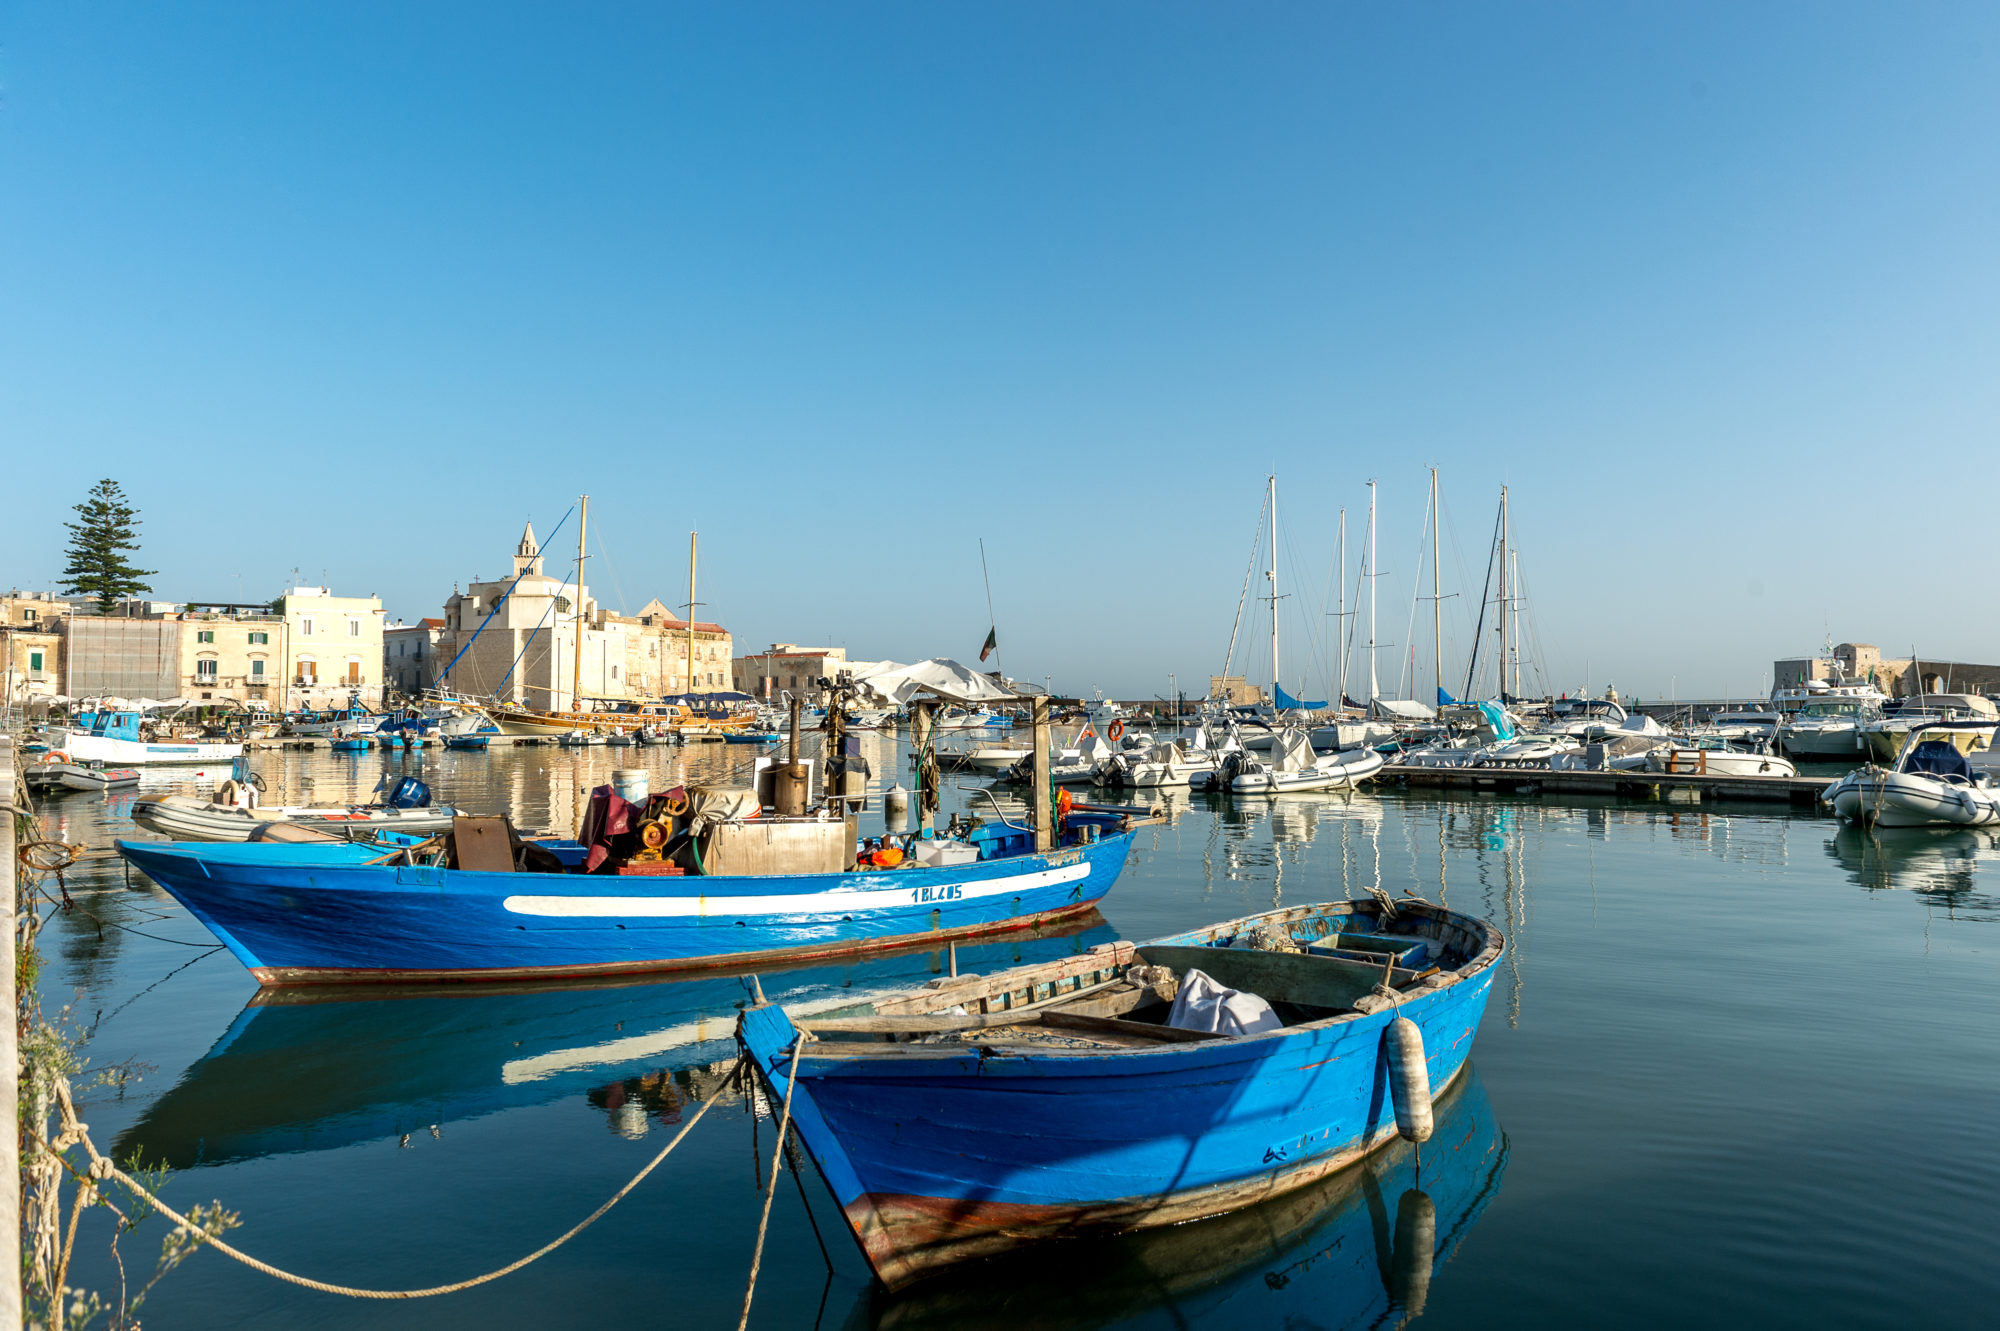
(1743, 1068)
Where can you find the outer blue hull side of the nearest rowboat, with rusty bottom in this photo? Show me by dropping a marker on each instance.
(965, 1150)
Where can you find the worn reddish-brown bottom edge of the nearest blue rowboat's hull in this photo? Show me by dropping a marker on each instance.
(913, 1238)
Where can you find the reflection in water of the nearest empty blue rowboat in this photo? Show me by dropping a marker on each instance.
(1355, 1250)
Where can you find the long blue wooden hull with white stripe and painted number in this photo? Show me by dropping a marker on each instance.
(323, 914)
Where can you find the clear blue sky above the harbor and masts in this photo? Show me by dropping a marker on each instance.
(359, 289)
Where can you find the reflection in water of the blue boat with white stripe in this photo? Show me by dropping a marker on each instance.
(313, 1070)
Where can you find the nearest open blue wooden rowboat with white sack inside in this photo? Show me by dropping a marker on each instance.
(1053, 1102)
